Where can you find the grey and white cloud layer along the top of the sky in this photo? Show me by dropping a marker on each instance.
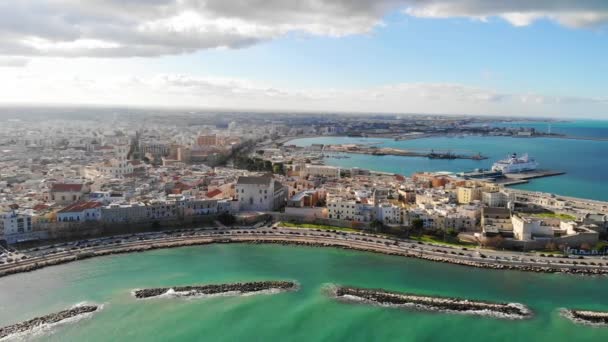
(125, 28)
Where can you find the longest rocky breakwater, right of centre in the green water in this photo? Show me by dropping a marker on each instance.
(444, 304)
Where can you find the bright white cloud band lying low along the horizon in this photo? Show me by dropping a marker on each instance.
(179, 90)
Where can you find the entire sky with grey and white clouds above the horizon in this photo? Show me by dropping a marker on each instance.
(513, 58)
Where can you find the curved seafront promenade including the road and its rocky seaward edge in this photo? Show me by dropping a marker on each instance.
(68, 252)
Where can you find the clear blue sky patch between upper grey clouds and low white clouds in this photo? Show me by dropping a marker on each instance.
(542, 57)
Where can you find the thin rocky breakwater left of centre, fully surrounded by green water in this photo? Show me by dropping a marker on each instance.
(214, 289)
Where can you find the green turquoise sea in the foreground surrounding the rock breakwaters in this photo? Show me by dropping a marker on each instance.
(306, 315)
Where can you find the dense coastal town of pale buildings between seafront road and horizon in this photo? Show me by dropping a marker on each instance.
(66, 177)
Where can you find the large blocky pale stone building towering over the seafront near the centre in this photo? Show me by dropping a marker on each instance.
(259, 193)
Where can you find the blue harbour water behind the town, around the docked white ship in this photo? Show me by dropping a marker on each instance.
(585, 162)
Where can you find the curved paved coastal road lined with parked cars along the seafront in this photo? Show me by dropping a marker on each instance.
(356, 240)
